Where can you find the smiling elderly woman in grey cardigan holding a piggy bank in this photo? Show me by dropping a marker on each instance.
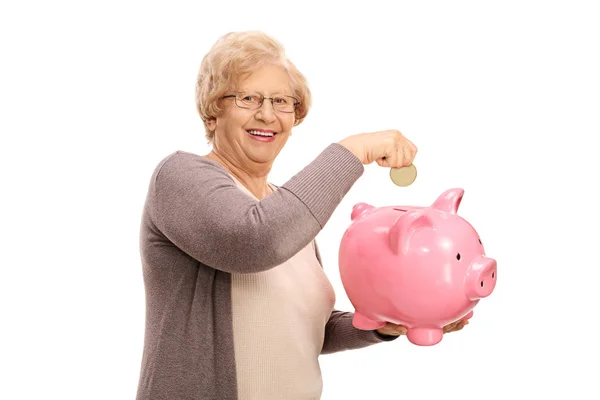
(238, 305)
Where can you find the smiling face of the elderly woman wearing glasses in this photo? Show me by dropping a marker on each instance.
(232, 128)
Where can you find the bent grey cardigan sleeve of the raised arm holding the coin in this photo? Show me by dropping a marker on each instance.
(197, 206)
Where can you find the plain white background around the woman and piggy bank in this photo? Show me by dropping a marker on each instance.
(502, 99)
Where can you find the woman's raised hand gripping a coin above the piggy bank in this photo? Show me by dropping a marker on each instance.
(387, 148)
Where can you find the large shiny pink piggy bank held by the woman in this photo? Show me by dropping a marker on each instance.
(420, 267)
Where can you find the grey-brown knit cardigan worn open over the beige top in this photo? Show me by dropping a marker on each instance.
(197, 228)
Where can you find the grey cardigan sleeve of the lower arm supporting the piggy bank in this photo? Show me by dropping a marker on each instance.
(341, 335)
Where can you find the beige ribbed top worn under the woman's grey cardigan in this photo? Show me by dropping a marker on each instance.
(279, 319)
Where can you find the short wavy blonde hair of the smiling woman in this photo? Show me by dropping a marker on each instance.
(234, 55)
